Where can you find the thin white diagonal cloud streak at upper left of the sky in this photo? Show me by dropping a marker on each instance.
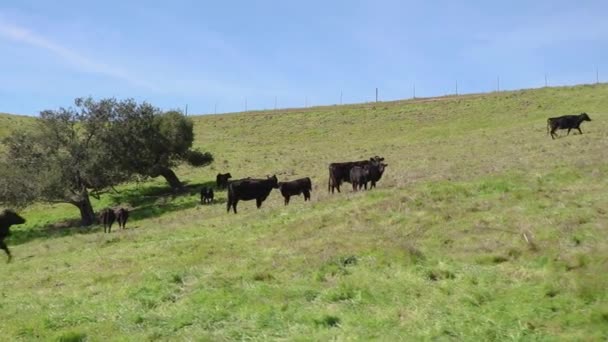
(25, 36)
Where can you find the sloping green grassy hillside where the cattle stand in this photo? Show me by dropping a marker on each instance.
(482, 228)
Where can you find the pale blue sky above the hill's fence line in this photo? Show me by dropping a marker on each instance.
(222, 53)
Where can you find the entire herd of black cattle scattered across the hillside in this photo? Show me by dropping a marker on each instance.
(358, 173)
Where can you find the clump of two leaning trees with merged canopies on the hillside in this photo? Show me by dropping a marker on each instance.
(74, 153)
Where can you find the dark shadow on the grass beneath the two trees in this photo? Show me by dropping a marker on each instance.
(143, 202)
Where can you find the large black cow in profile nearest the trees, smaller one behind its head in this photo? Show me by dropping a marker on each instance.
(250, 188)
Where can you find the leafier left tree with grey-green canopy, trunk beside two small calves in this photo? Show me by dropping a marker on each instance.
(65, 159)
